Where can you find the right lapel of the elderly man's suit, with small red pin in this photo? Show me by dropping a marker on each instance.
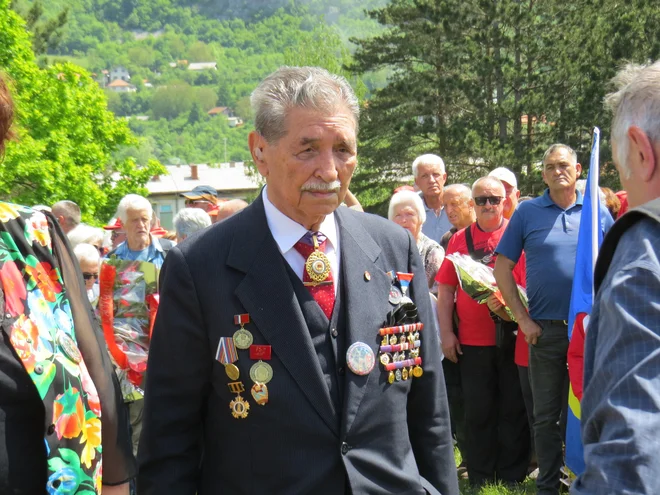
(364, 299)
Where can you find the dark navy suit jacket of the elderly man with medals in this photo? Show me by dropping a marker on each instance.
(388, 438)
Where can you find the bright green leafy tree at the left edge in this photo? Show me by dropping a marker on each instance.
(66, 134)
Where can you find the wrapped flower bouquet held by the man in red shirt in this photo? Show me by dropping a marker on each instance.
(478, 281)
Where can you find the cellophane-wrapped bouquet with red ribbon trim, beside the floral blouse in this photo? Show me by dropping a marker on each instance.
(128, 303)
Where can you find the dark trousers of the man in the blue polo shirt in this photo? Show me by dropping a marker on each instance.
(549, 377)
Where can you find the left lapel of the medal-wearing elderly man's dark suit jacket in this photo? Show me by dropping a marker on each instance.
(268, 296)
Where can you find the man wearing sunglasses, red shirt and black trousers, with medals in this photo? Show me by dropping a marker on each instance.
(495, 417)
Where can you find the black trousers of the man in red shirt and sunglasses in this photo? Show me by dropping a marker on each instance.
(496, 421)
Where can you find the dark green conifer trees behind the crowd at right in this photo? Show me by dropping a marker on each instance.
(488, 84)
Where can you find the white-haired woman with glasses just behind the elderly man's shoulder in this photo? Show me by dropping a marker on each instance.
(407, 209)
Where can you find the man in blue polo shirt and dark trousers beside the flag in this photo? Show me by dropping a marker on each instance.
(546, 229)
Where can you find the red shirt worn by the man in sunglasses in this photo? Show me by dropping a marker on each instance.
(475, 326)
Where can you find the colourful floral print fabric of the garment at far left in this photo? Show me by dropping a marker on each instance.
(43, 337)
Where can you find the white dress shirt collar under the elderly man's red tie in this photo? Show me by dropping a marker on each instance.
(287, 232)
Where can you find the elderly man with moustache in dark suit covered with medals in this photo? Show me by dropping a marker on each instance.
(288, 355)
